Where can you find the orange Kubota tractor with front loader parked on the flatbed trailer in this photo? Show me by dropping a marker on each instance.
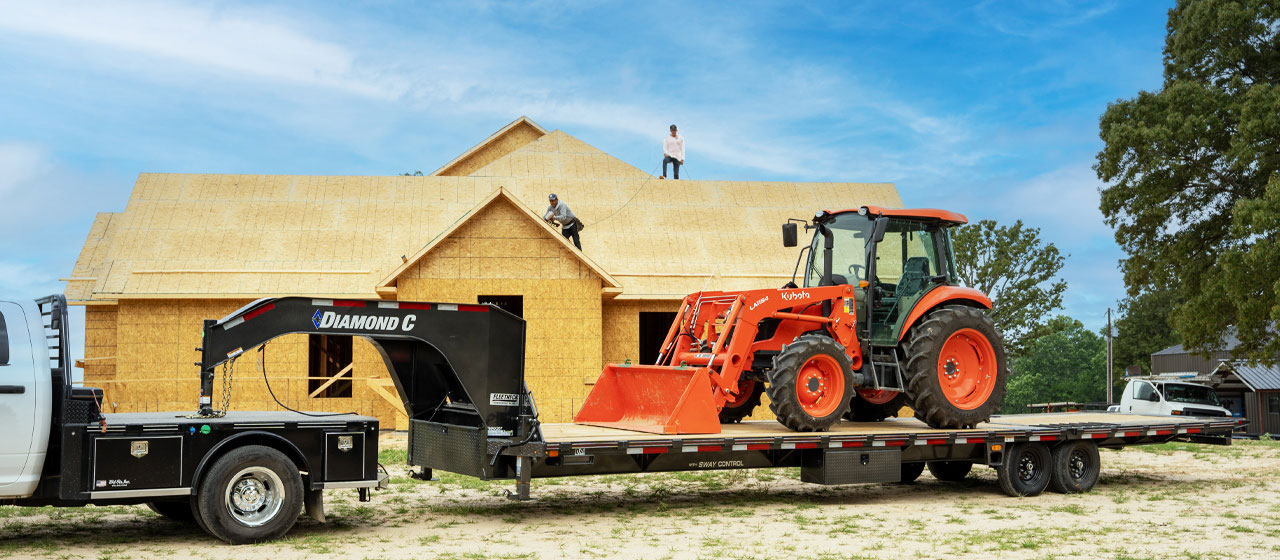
(880, 324)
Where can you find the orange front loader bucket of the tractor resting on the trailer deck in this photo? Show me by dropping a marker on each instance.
(656, 400)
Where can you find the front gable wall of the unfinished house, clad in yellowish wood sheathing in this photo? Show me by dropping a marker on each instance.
(502, 253)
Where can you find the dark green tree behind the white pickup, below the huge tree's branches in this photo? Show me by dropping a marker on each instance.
(1142, 329)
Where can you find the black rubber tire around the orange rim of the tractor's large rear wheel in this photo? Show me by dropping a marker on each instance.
(925, 385)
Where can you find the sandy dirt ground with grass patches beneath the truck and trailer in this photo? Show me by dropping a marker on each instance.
(1172, 501)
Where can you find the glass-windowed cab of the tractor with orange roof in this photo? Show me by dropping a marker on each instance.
(895, 256)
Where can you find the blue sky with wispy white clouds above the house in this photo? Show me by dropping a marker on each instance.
(990, 109)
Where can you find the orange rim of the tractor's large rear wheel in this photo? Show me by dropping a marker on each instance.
(967, 369)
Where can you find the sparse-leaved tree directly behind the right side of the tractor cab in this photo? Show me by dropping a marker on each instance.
(1017, 270)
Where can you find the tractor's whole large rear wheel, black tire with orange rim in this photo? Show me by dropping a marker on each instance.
(957, 368)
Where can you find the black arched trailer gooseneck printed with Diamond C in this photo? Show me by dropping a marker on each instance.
(456, 362)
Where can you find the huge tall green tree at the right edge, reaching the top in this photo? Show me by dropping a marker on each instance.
(1194, 176)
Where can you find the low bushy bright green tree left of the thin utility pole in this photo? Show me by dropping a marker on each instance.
(1066, 365)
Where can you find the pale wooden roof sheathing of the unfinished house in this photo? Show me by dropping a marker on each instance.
(196, 236)
